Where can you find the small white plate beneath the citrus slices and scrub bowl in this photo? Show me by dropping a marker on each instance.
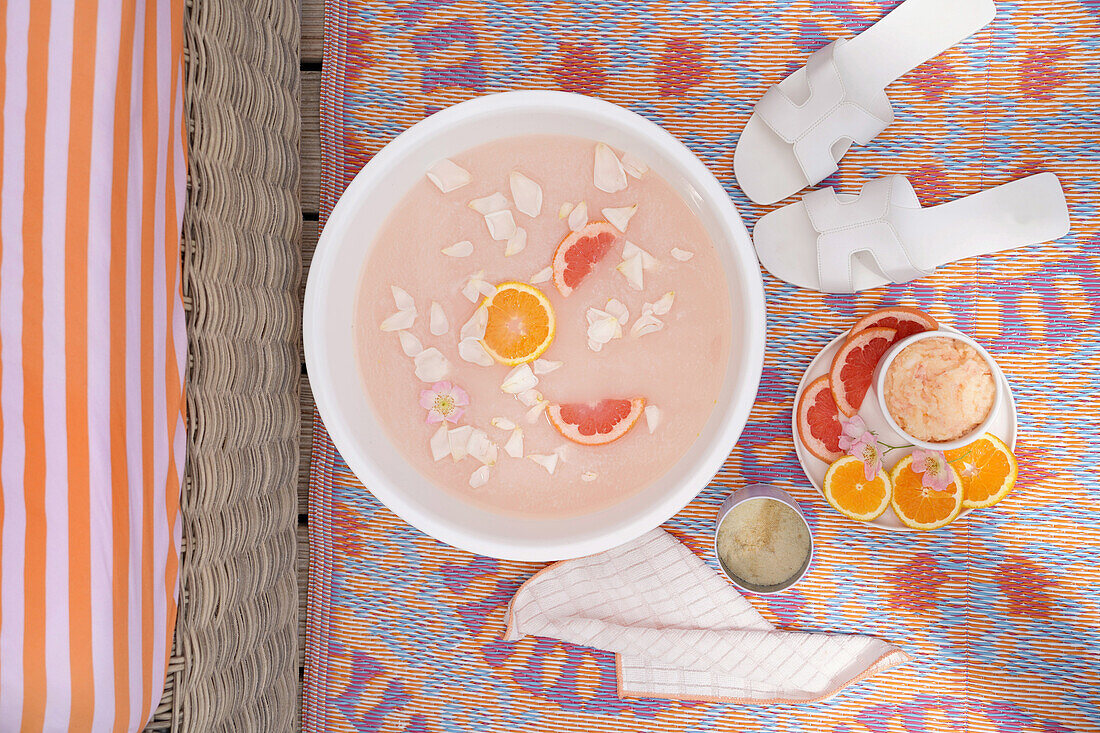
(1004, 426)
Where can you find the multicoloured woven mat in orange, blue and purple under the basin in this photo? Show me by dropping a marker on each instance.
(999, 611)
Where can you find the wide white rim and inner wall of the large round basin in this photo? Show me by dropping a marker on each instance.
(334, 365)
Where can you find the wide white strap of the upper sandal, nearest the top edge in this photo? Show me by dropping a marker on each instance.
(833, 114)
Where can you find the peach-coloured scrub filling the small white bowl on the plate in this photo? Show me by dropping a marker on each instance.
(940, 389)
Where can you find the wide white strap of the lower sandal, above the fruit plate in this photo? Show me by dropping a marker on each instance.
(864, 225)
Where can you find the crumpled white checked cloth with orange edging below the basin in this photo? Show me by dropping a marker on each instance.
(681, 631)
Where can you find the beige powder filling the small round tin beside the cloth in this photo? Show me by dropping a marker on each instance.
(764, 542)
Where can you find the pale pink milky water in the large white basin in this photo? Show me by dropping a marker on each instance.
(679, 369)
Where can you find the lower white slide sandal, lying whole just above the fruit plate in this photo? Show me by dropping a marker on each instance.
(842, 244)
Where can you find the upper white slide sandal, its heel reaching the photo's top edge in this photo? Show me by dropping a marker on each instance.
(802, 128)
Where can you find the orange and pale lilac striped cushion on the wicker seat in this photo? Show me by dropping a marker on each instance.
(92, 358)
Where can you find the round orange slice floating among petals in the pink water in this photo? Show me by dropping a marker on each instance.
(521, 324)
